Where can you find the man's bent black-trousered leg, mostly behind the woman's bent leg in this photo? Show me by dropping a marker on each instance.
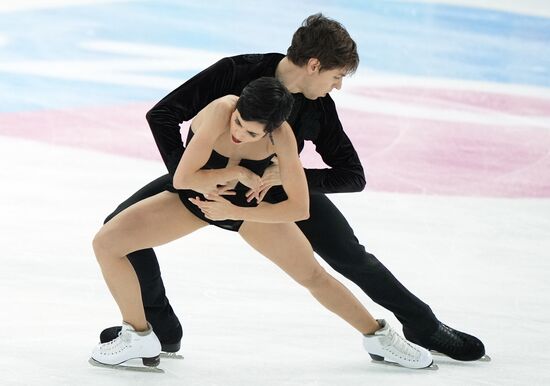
(158, 310)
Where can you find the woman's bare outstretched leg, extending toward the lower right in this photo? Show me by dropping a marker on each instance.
(286, 246)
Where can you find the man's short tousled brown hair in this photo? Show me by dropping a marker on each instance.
(326, 40)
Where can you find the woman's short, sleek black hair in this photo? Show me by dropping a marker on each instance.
(267, 101)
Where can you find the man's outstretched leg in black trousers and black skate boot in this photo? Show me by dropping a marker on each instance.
(333, 239)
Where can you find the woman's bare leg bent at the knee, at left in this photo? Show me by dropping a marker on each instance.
(148, 223)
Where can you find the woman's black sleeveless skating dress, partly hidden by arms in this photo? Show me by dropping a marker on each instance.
(218, 161)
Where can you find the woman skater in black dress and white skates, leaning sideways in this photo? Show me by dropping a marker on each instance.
(231, 142)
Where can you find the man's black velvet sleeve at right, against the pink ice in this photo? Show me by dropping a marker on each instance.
(346, 172)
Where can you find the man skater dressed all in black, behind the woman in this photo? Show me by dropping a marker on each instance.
(320, 55)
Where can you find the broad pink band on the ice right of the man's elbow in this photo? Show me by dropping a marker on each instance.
(424, 156)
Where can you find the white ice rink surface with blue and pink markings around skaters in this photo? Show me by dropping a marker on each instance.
(449, 111)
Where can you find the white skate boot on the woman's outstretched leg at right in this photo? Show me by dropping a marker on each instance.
(386, 345)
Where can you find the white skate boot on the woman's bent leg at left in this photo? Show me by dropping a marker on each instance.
(129, 344)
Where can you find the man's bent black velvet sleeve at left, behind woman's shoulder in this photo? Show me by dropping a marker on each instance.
(184, 103)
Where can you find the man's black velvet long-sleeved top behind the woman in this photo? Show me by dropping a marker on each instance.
(314, 120)
